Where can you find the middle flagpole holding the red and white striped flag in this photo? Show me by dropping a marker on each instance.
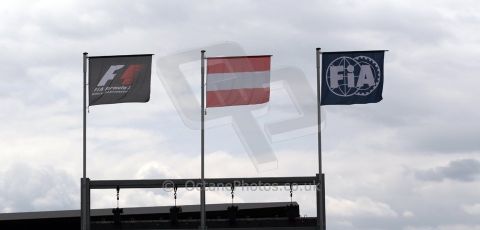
(202, 190)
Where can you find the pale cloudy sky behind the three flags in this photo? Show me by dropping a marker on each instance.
(411, 162)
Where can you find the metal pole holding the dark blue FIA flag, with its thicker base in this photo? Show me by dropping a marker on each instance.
(321, 217)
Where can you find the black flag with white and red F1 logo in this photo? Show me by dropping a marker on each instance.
(119, 79)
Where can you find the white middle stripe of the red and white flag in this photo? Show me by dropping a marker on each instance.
(240, 80)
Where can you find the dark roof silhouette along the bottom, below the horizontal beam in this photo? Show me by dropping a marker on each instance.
(281, 215)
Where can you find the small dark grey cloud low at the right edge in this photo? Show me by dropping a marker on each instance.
(465, 170)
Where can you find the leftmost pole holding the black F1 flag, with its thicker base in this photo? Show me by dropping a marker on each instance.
(84, 183)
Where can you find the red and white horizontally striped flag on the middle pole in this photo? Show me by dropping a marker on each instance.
(243, 80)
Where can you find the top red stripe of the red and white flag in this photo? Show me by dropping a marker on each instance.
(238, 64)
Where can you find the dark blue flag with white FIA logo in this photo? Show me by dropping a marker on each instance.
(352, 77)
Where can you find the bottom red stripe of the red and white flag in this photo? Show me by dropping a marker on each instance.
(221, 98)
